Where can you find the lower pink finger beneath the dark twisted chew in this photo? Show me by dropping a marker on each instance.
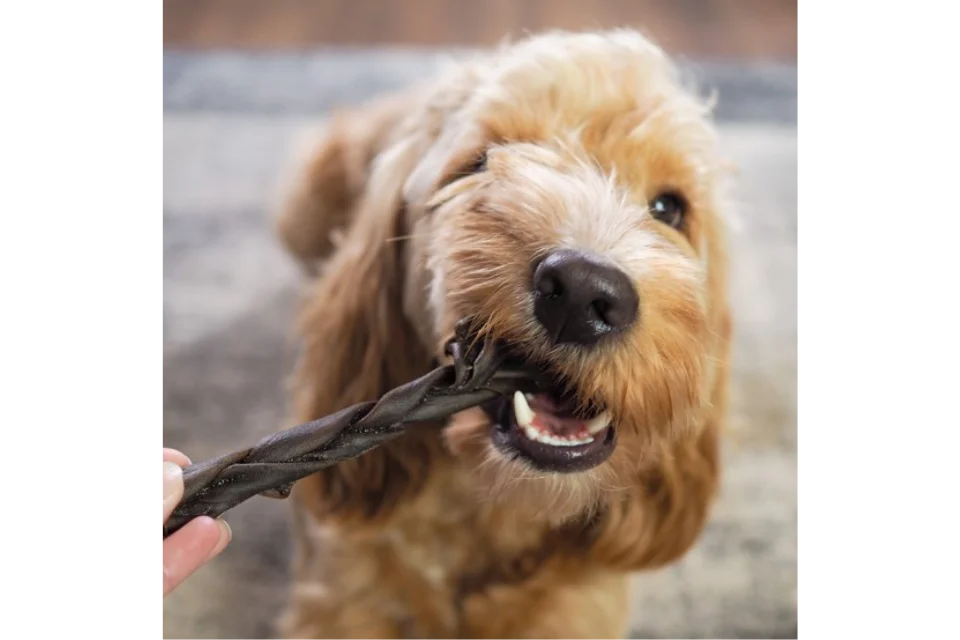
(190, 548)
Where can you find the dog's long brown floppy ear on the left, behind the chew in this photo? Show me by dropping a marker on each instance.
(357, 343)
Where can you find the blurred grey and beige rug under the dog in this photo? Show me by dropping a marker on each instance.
(226, 296)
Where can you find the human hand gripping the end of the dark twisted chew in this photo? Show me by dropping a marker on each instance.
(198, 542)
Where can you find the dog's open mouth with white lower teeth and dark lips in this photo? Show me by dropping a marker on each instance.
(546, 430)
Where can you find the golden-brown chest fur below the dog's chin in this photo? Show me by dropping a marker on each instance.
(445, 563)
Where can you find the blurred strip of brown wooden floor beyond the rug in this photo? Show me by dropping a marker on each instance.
(727, 28)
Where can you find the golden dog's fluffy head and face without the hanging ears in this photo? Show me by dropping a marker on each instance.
(566, 193)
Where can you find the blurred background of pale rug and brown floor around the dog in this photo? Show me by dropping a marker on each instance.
(242, 82)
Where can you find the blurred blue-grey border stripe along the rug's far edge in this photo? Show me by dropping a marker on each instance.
(310, 83)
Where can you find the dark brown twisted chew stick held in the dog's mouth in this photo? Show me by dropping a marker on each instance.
(271, 467)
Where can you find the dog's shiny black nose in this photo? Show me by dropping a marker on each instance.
(580, 299)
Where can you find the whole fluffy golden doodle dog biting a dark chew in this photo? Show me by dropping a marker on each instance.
(568, 191)
